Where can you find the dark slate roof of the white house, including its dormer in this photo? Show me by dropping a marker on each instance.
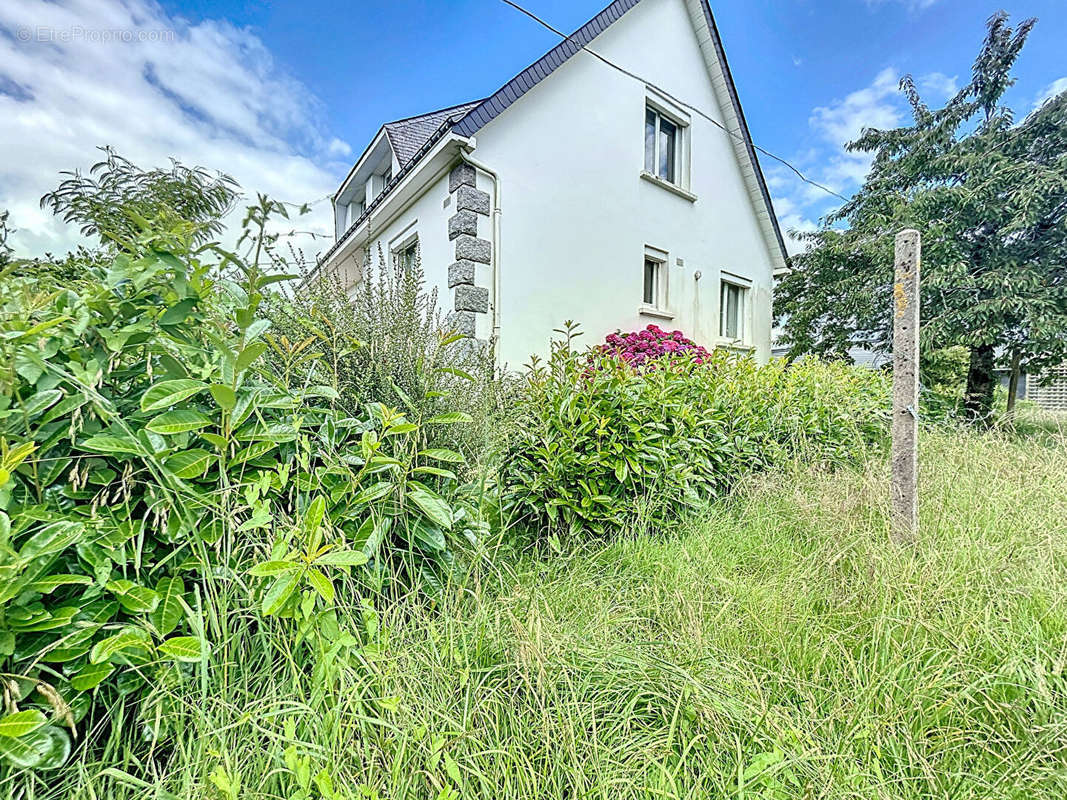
(417, 133)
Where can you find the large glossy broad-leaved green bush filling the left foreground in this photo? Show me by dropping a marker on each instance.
(149, 452)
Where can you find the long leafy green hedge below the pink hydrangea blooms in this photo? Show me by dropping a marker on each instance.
(602, 445)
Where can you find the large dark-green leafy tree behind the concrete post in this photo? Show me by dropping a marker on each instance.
(988, 196)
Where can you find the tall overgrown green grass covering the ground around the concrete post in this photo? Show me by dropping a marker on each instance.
(781, 648)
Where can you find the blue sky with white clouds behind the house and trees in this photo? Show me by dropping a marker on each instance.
(285, 95)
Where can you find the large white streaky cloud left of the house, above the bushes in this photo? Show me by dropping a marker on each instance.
(79, 74)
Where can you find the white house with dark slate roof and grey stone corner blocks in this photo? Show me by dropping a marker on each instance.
(615, 195)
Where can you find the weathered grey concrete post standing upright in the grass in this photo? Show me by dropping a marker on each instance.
(905, 452)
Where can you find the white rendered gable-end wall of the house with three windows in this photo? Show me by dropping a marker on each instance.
(577, 216)
